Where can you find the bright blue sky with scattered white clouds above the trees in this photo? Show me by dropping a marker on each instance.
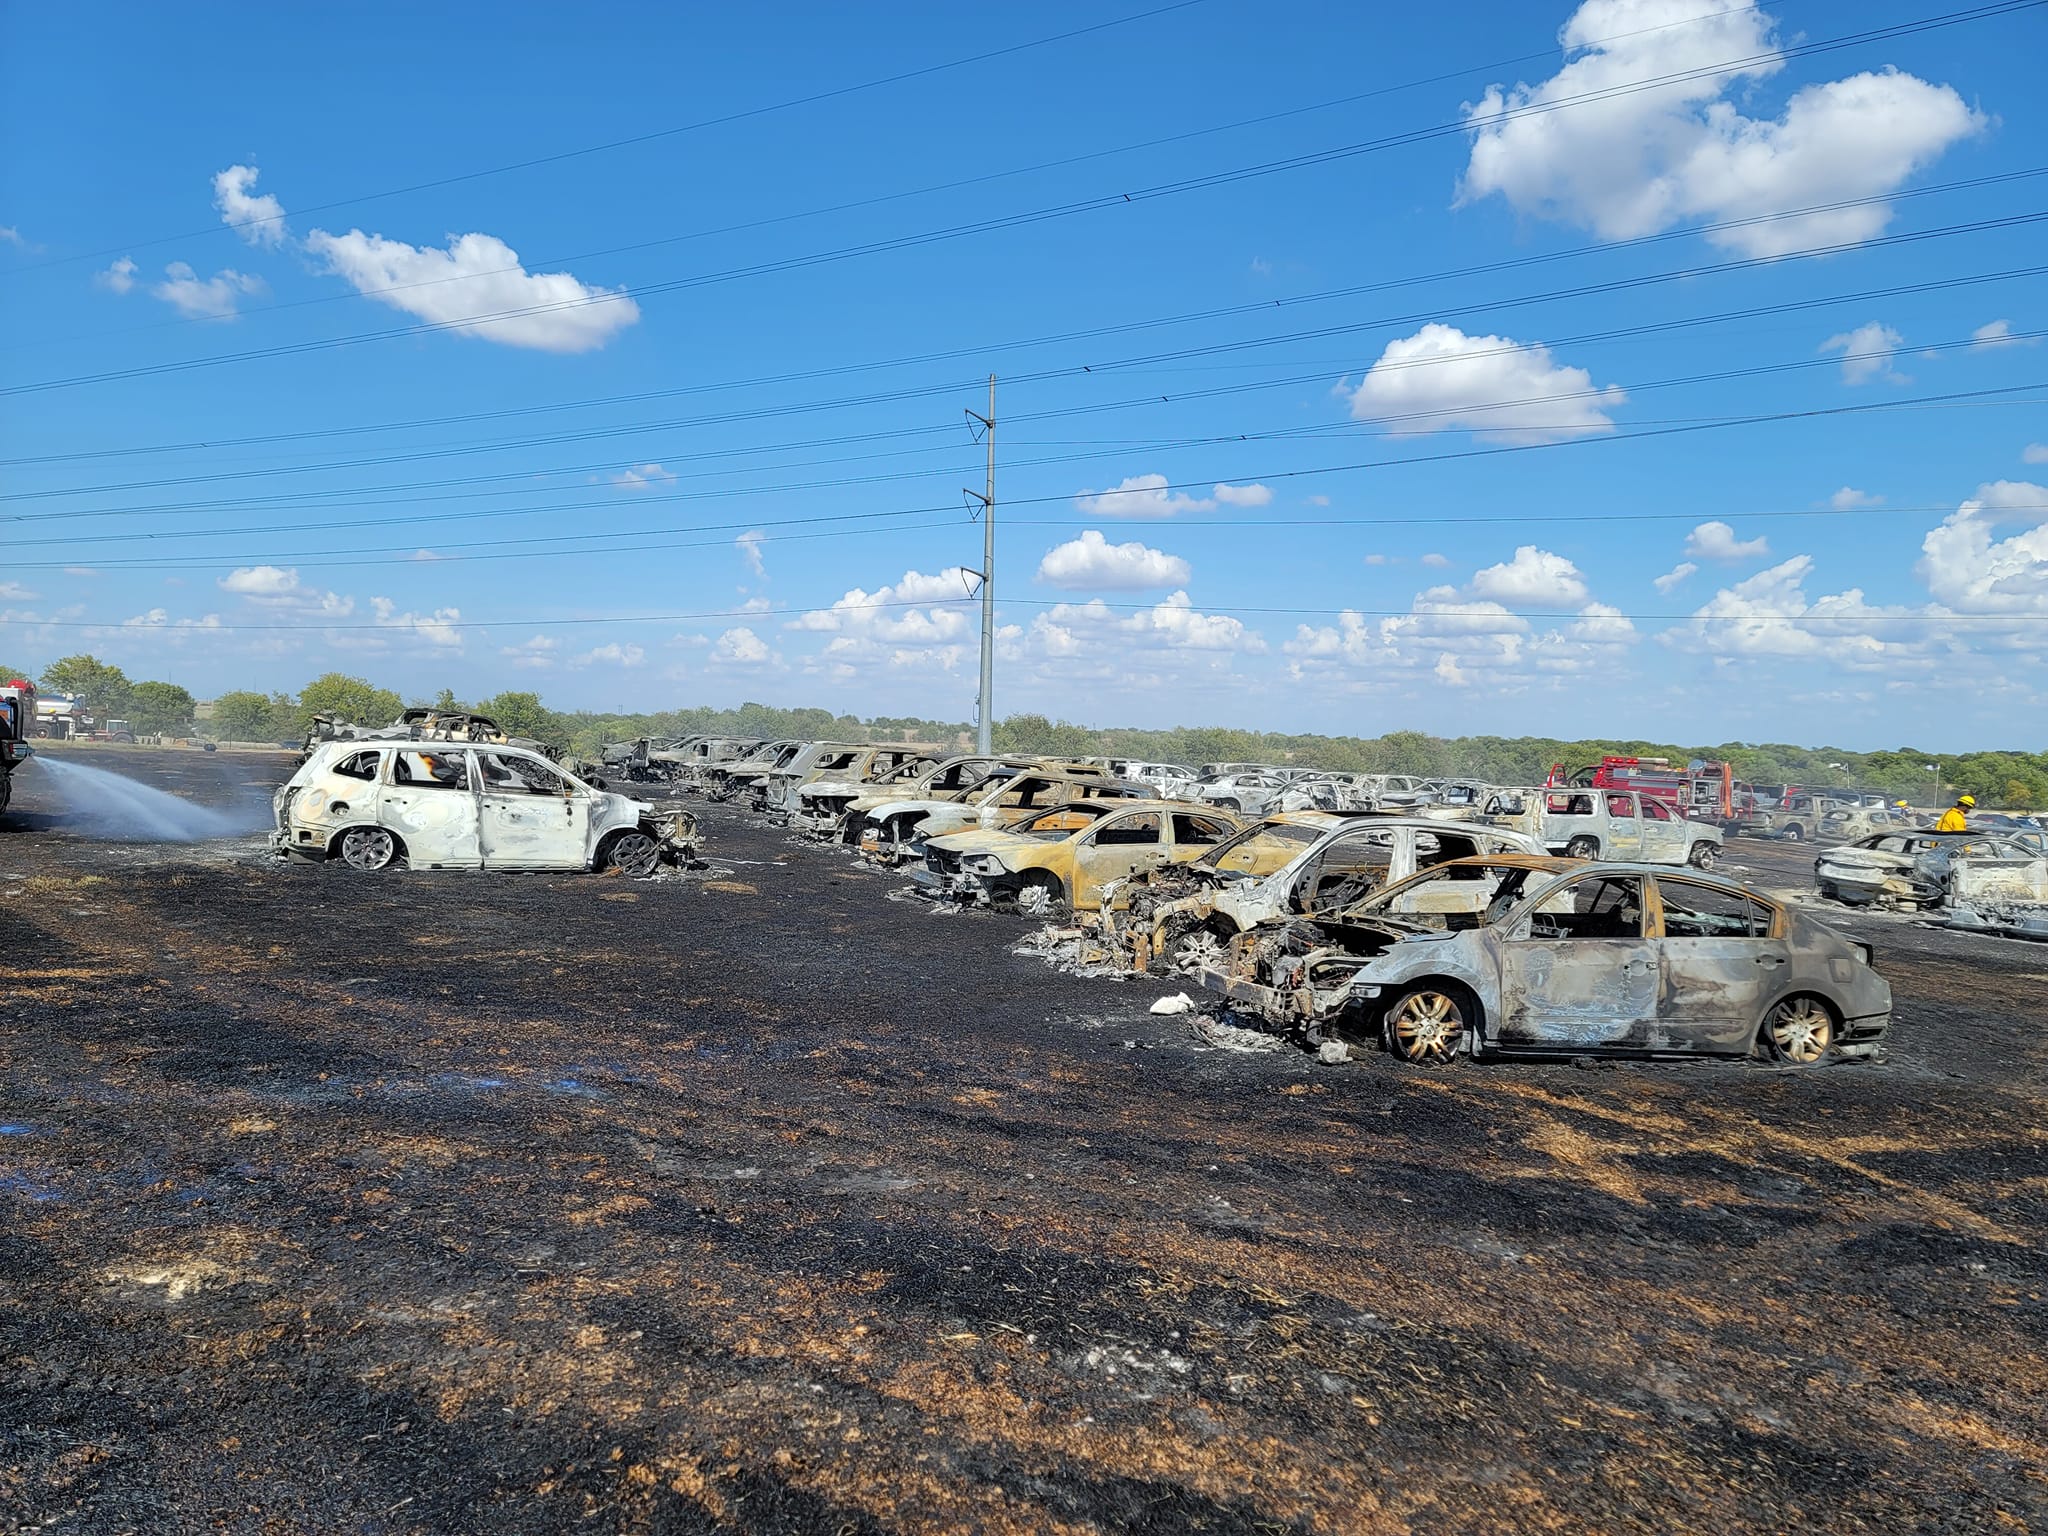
(1658, 368)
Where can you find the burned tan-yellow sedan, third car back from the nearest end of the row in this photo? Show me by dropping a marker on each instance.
(1074, 857)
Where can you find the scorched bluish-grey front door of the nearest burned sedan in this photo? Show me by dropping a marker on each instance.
(1580, 970)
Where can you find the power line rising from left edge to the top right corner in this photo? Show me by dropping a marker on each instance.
(1039, 216)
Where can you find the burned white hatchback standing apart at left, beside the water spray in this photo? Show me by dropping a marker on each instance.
(460, 806)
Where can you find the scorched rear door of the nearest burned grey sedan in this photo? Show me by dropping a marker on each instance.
(1721, 966)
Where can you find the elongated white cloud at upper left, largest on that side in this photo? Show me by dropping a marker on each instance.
(472, 280)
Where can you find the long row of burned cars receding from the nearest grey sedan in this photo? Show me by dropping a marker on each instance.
(1506, 927)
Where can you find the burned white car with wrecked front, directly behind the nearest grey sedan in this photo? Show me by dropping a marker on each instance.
(1291, 865)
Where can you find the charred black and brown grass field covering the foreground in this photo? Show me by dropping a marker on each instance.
(759, 1203)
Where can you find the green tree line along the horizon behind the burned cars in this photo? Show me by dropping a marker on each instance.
(2004, 779)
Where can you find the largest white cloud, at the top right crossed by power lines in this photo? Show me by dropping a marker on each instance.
(1646, 159)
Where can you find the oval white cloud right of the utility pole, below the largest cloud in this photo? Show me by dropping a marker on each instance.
(1502, 390)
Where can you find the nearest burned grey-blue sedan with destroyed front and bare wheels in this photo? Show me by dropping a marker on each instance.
(1523, 955)
